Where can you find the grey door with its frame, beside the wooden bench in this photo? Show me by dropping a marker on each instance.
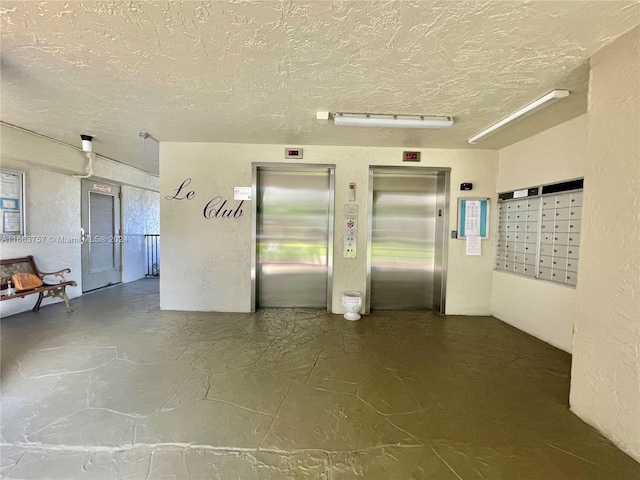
(102, 244)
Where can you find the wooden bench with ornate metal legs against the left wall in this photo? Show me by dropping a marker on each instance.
(26, 264)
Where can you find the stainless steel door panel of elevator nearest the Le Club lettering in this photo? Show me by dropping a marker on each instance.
(292, 244)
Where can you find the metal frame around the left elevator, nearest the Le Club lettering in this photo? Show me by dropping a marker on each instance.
(254, 224)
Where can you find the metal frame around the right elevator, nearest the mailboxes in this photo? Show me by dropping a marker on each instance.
(442, 229)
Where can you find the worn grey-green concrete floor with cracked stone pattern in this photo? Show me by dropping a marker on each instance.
(119, 389)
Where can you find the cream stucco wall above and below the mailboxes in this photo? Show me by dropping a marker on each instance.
(544, 310)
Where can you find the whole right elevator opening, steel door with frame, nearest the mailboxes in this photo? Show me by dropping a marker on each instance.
(406, 258)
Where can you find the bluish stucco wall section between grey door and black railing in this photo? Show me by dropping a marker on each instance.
(140, 216)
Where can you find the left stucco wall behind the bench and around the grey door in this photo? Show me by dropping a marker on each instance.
(53, 205)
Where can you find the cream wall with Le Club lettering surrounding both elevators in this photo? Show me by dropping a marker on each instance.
(206, 263)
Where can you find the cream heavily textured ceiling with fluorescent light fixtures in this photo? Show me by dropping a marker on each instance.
(257, 72)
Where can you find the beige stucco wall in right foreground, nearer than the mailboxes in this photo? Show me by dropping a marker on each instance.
(605, 376)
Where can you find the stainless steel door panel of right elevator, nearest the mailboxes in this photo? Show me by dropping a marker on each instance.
(403, 241)
